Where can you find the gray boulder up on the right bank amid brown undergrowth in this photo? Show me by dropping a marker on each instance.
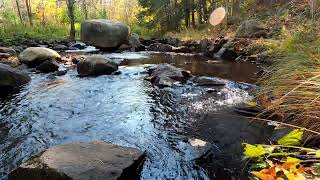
(251, 29)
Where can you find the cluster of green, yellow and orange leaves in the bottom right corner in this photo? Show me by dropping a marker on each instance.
(284, 160)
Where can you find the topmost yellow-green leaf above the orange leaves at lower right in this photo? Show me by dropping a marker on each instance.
(292, 139)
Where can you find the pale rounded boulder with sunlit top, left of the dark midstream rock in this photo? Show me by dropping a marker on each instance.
(35, 56)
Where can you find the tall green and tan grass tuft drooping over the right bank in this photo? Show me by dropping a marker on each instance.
(292, 88)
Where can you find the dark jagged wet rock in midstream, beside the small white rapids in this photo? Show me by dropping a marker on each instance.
(166, 75)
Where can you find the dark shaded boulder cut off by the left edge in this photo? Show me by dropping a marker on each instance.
(11, 78)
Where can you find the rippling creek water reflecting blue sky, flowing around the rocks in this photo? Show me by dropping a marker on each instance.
(126, 110)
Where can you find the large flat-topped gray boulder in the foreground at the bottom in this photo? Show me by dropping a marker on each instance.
(83, 161)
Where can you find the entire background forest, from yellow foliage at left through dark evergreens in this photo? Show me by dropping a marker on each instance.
(52, 18)
